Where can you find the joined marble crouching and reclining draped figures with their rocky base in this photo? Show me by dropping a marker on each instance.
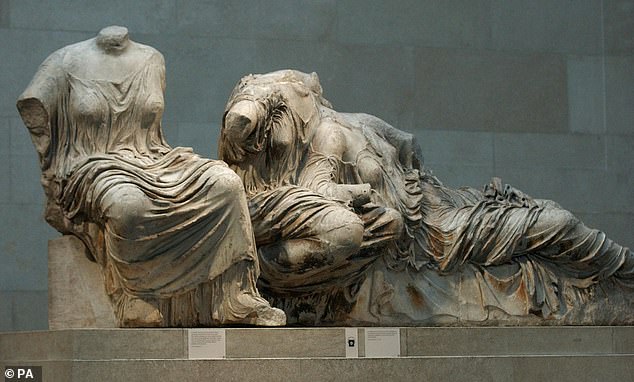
(351, 227)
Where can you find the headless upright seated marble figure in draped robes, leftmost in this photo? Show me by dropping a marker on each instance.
(170, 230)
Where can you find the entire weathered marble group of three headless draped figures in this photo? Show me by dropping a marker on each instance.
(333, 215)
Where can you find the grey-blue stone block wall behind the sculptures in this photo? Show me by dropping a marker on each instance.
(540, 93)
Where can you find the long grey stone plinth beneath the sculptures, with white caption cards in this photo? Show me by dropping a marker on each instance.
(318, 354)
